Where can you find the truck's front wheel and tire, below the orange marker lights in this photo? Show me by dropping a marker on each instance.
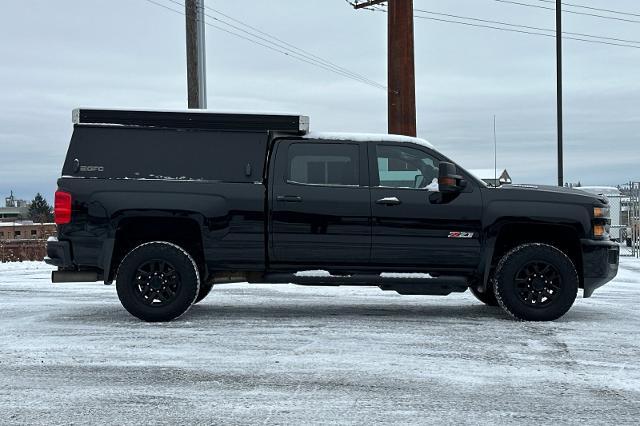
(536, 282)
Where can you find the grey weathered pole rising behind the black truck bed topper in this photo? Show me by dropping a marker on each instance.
(196, 57)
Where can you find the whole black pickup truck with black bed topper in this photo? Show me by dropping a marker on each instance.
(167, 204)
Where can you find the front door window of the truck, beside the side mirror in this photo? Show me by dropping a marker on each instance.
(406, 167)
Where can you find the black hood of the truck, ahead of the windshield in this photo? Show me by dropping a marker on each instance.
(551, 193)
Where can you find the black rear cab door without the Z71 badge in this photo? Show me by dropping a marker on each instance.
(320, 205)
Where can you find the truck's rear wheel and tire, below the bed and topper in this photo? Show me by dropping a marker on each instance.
(157, 281)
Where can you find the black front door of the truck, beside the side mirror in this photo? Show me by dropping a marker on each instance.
(412, 225)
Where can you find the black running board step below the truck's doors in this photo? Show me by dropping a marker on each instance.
(440, 286)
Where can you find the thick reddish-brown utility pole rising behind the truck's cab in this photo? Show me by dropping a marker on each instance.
(401, 65)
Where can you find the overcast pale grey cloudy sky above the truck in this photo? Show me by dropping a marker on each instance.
(55, 56)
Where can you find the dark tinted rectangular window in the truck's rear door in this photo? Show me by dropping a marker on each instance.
(323, 164)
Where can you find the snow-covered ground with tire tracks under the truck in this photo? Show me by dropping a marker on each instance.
(283, 354)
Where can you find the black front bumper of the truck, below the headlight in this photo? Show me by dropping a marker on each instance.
(600, 263)
